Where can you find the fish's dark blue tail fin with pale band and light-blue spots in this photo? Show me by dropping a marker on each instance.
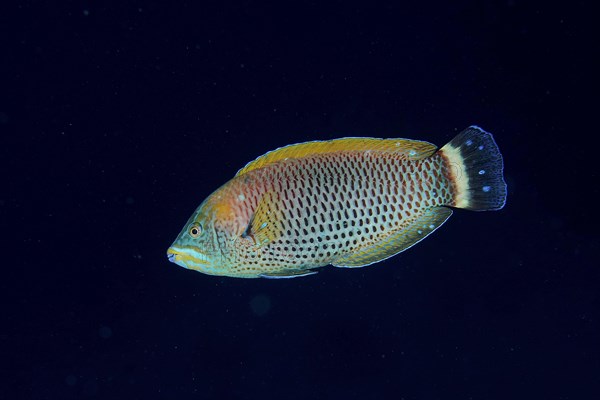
(476, 167)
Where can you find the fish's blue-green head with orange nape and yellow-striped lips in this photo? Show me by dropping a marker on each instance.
(205, 244)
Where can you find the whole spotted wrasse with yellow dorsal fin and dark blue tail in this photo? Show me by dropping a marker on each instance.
(348, 202)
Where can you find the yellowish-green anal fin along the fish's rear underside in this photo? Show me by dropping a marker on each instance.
(397, 242)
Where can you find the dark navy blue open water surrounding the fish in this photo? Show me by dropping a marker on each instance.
(117, 120)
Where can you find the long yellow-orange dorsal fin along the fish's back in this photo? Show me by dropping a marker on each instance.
(413, 149)
